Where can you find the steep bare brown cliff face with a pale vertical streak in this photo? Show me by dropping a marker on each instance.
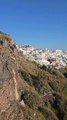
(9, 81)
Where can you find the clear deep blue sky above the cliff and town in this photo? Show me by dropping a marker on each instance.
(40, 23)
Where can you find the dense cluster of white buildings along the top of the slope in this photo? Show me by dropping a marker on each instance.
(44, 56)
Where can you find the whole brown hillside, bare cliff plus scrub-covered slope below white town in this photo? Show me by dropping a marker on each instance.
(29, 91)
